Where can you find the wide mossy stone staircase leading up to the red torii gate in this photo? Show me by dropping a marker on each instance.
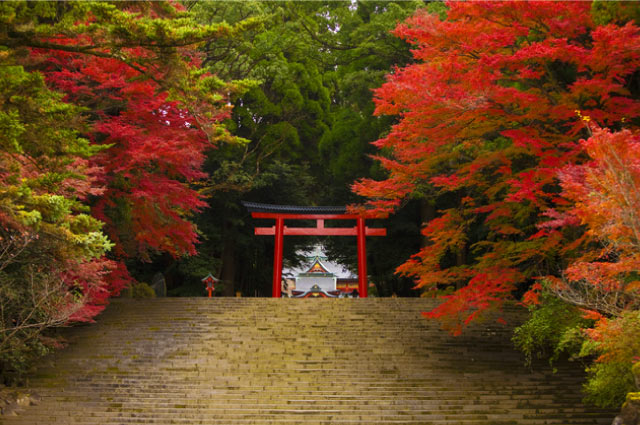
(303, 361)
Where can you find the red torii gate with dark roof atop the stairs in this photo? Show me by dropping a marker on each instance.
(280, 213)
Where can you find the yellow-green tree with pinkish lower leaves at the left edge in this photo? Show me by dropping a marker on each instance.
(46, 231)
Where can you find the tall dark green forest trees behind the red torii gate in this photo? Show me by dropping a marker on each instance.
(315, 64)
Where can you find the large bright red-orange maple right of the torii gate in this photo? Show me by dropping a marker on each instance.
(488, 112)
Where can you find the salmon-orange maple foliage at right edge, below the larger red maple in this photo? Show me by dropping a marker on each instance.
(603, 196)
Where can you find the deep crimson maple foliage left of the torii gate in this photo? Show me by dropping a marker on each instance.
(157, 150)
